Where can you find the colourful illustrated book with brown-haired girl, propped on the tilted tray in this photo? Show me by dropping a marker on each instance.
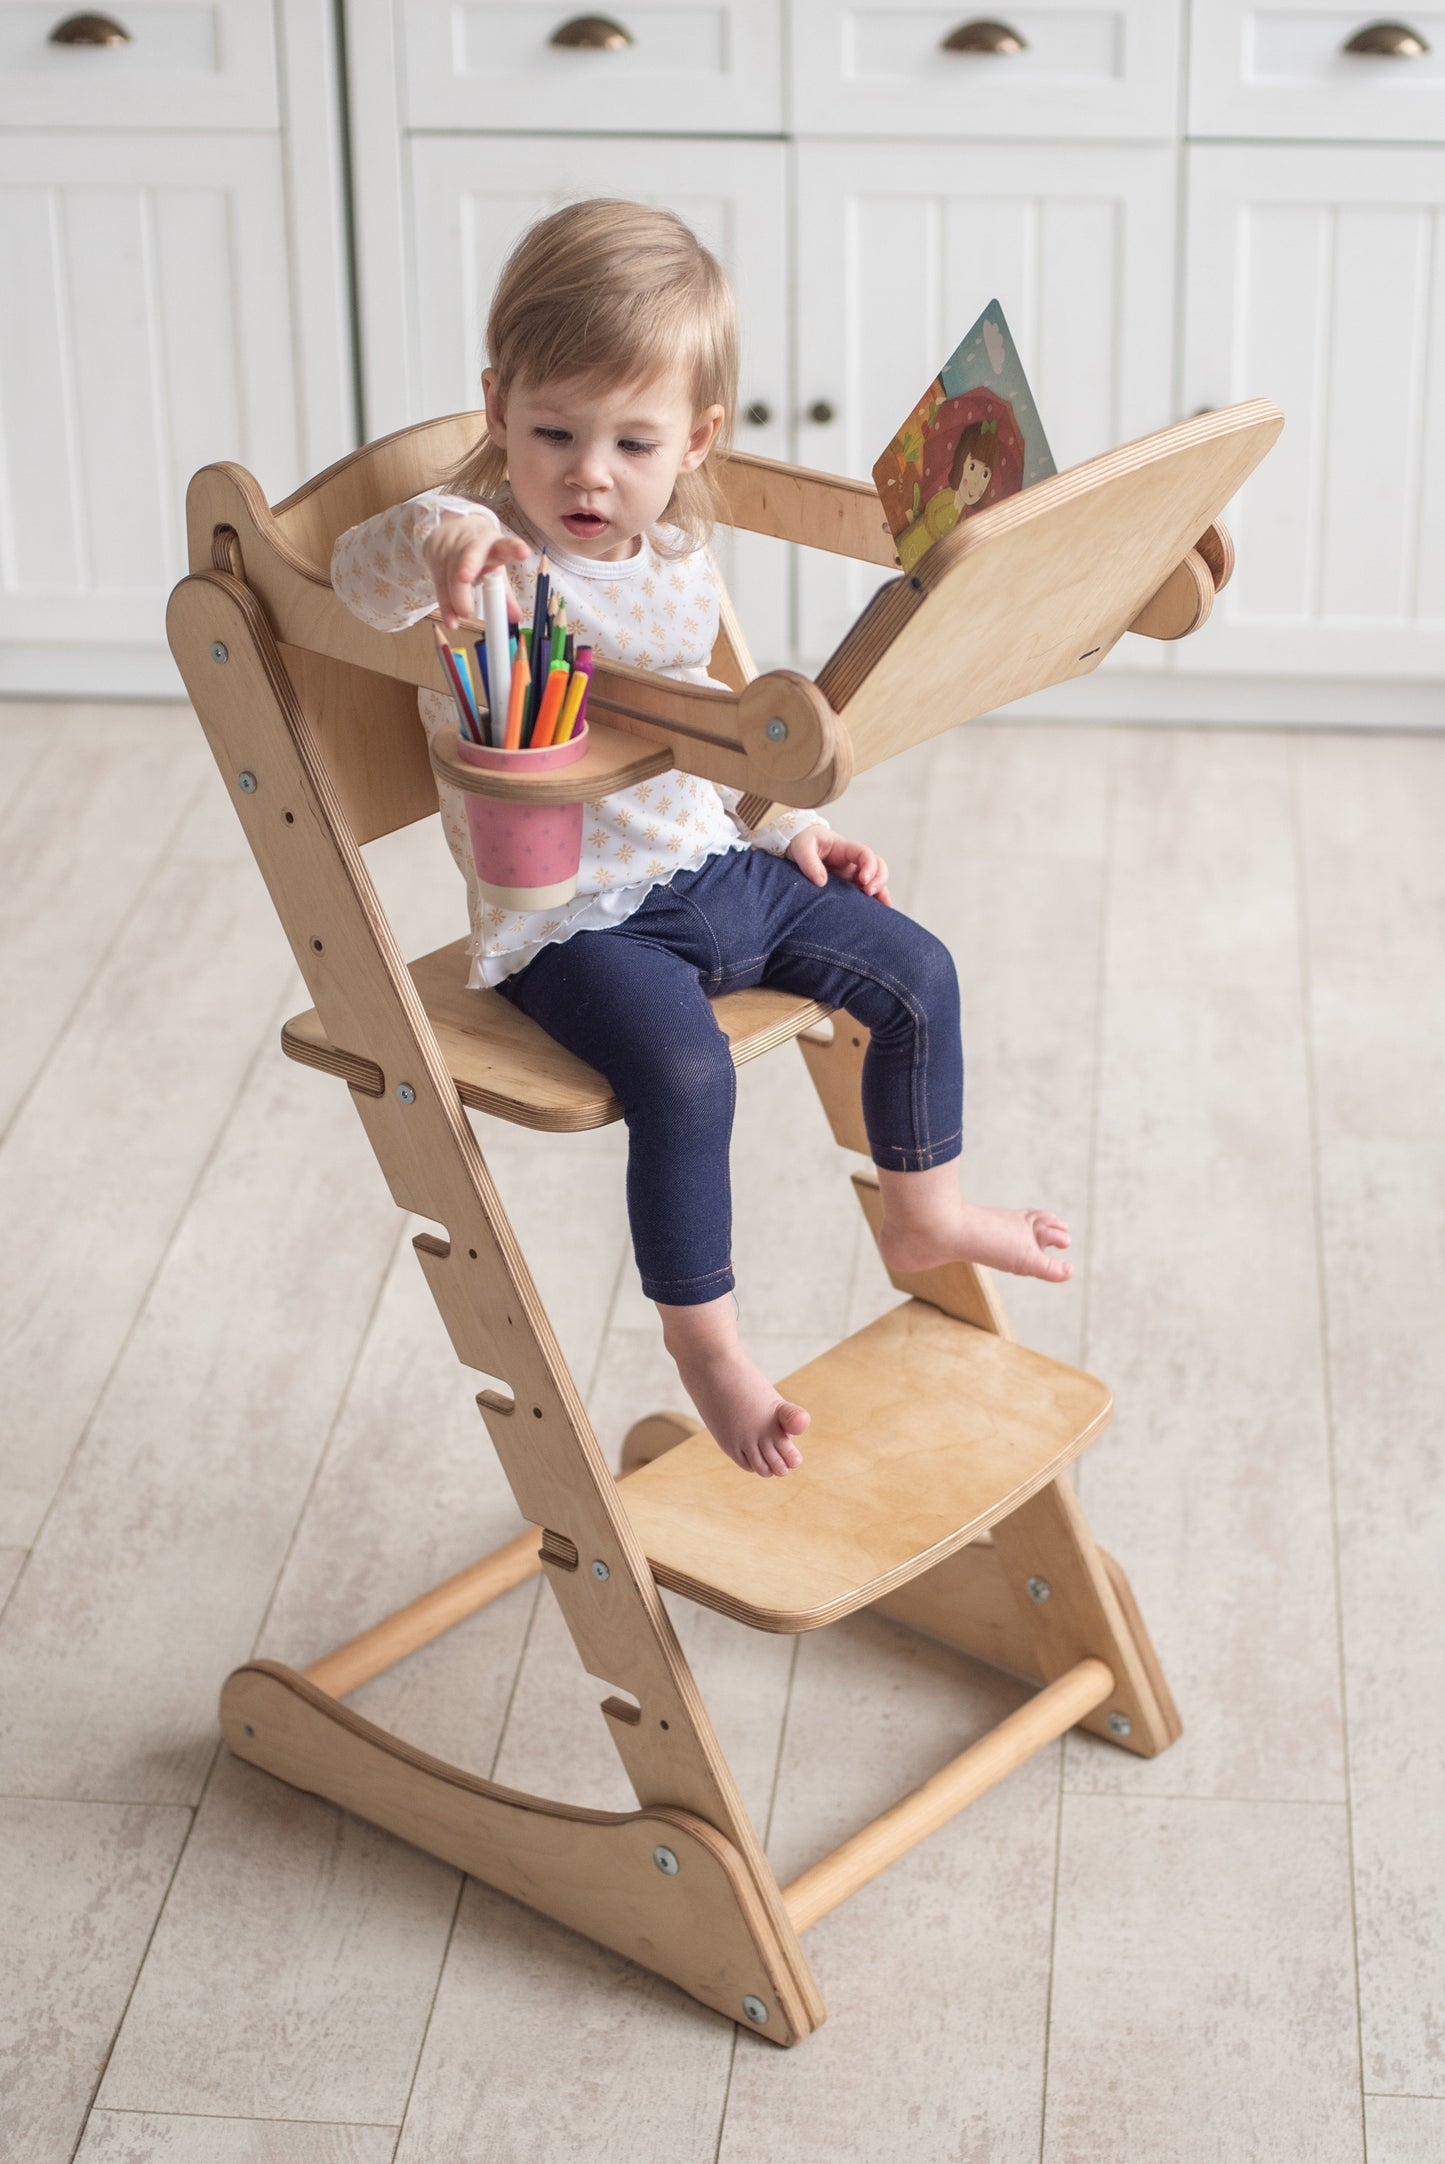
(972, 438)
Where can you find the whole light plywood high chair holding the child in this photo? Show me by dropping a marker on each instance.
(933, 1483)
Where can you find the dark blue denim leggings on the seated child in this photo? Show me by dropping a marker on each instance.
(633, 1001)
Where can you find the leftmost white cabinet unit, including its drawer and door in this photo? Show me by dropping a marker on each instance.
(172, 298)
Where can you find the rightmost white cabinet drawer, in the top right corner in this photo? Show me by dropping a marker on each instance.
(1280, 68)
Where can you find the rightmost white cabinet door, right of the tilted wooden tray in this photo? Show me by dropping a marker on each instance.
(1318, 278)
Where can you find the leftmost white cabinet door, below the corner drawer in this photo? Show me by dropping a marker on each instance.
(148, 334)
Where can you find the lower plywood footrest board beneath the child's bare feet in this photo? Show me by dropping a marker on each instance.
(925, 1434)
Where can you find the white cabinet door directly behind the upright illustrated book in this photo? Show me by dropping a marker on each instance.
(899, 252)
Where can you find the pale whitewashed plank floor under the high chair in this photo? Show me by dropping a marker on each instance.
(1206, 1018)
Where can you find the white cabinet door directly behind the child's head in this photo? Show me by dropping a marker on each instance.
(468, 209)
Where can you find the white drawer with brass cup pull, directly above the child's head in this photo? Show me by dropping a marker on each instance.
(687, 66)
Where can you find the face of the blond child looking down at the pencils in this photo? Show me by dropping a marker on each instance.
(594, 466)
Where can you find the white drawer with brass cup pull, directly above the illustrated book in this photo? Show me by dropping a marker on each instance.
(1085, 68)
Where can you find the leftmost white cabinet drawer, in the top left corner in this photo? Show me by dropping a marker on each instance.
(185, 64)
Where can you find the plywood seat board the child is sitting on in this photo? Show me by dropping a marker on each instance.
(505, 1064)
